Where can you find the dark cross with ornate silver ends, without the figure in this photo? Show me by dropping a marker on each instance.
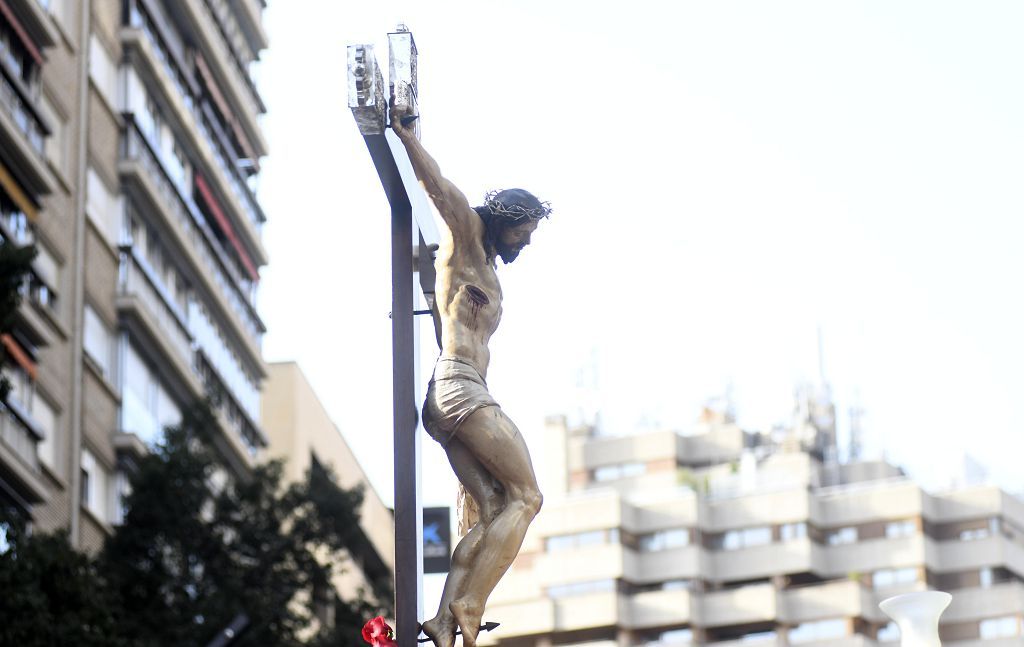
(414, 235)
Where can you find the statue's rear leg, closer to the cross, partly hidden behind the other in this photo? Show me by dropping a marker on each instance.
(490, 497)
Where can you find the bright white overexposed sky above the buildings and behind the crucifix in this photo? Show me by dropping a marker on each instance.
(727, 178)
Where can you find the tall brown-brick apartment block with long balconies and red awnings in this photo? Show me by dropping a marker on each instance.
(131, 151)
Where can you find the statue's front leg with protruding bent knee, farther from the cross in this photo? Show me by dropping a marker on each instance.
(495, 442)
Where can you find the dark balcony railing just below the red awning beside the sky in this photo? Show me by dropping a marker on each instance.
(187, 217)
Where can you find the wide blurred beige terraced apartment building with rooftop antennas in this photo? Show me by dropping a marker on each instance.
(728, 538)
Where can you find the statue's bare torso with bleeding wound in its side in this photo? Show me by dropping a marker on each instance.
(470, 299)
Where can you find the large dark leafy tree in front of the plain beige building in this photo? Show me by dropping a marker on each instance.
(189, 558)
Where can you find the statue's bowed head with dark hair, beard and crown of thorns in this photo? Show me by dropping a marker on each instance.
(511, 218)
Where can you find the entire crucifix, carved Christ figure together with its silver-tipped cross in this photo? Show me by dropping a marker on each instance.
(462, 290)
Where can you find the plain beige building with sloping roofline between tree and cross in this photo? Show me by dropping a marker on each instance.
(303, 436)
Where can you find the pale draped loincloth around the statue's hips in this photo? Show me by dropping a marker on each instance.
(456, 392)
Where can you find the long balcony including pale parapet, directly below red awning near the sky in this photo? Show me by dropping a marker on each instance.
(145, 176)
